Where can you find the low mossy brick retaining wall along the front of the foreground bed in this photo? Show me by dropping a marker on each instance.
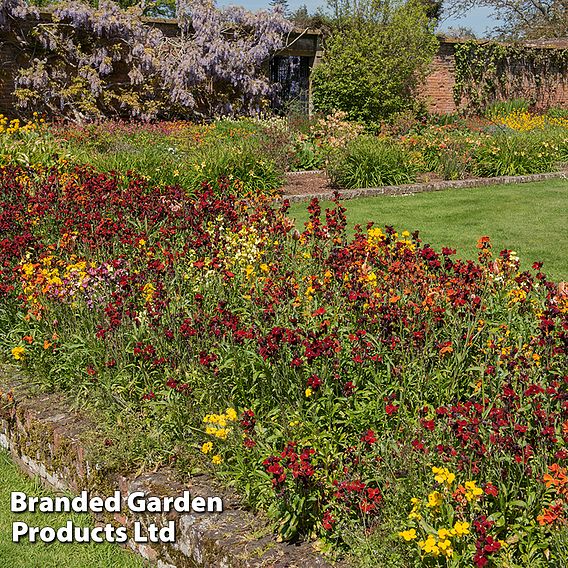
(46, 439)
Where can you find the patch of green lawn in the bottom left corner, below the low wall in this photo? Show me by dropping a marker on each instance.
(55, 555)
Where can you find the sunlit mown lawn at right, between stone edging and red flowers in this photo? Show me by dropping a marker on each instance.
(529, 218)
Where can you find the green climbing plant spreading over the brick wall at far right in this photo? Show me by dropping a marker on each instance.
(489, 72)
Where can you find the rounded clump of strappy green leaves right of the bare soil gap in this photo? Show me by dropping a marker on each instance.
(371, 162)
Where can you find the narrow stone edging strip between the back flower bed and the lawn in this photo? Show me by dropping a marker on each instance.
(409, 189)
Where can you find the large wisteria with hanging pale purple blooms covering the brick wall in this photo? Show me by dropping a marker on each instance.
(86, 62)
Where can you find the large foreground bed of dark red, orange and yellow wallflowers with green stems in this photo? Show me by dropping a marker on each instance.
(361, 390)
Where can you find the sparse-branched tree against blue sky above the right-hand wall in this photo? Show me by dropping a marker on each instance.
(522, 19)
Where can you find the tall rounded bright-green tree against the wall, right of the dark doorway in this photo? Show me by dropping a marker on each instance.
(375, 59)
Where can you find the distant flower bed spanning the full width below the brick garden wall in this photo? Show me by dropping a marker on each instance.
(258, 152)
